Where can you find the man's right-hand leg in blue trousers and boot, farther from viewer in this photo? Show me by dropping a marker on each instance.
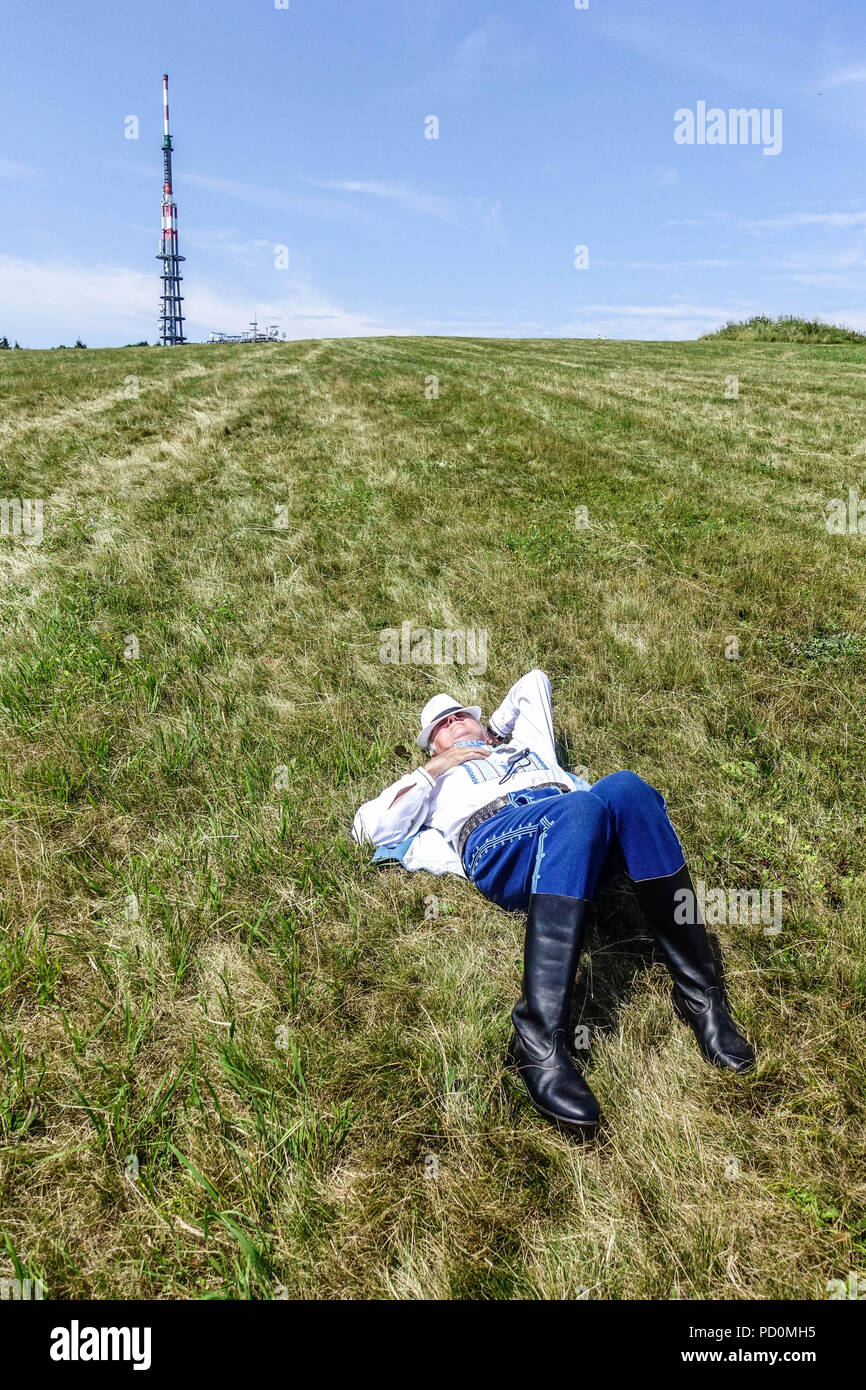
(648, 850)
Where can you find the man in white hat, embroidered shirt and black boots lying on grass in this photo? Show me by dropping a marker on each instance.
(532, 840)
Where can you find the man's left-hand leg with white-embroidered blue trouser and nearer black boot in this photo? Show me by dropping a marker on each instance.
(546, 856)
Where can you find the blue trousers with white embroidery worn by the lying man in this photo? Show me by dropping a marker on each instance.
(573, 843)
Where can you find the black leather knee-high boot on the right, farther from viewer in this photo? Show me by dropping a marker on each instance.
(700, 997)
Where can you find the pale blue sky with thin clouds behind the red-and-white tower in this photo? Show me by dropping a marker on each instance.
(305, 127)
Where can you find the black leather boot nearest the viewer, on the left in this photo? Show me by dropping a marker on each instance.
(540, 1049)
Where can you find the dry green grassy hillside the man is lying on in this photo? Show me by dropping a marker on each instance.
(205, 981)
